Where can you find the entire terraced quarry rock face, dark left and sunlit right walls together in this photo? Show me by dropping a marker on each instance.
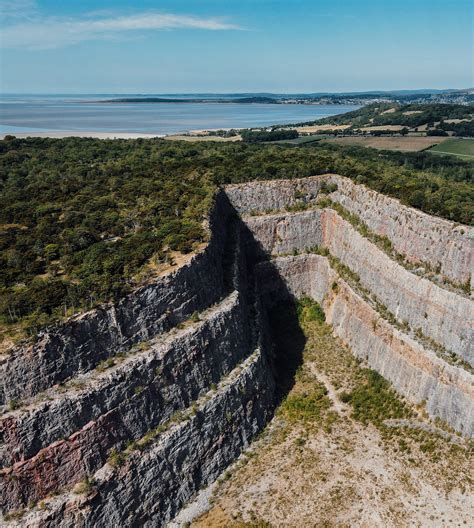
(190, 378)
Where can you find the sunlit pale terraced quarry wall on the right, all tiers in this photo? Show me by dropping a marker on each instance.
(416, 333)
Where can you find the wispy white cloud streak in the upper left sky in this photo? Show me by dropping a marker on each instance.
(54, 32)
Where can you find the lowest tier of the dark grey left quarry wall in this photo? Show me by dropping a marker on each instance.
(152, 485)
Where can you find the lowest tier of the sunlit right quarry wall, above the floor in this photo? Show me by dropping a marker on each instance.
(415, 371)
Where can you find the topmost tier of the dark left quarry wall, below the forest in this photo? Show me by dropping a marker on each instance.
(81, 343)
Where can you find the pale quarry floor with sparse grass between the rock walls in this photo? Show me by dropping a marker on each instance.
(317, 466)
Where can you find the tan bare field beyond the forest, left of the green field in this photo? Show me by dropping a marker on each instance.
(407, 143)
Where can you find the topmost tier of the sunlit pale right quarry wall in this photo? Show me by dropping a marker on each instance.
(419, 237)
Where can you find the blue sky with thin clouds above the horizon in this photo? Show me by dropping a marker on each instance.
(142, 46)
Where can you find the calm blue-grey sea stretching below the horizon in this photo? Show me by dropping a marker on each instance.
(88, 113)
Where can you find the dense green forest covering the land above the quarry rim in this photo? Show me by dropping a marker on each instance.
(83, 221)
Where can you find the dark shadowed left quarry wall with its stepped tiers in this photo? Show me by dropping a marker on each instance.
(66, 434)
